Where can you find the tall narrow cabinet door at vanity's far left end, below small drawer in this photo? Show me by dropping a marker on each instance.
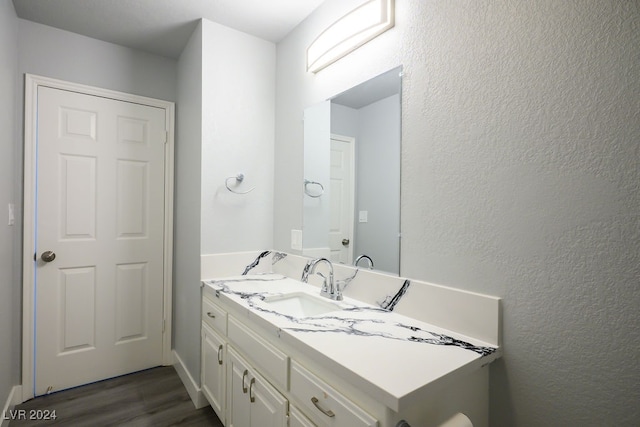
(213, 370)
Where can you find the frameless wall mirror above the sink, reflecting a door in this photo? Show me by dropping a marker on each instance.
(352, 175)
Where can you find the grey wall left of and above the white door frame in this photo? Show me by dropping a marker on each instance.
(27, 47)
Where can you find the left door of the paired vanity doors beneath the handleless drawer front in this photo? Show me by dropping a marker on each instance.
(239, 414)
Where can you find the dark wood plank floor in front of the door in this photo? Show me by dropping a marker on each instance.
(155, 397)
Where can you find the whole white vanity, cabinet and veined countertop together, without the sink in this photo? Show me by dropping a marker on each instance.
(263, 368)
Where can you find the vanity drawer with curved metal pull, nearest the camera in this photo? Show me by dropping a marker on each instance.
(325, 405)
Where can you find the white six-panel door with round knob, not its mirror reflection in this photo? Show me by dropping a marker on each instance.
(100, 210)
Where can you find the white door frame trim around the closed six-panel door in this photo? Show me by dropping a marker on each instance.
(32, 82)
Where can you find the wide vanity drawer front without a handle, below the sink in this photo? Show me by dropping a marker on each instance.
(271, 362)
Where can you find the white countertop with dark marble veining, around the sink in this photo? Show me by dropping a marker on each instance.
(397, 360)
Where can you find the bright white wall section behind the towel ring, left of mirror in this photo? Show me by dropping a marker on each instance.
(238, 113)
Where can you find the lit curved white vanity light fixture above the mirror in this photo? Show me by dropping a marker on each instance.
(348, 33)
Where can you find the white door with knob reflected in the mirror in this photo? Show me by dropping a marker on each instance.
(342, 200)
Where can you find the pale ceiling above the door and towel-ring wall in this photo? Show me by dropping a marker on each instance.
(163, 27)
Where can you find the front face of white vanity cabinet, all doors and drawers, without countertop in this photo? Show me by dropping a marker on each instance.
(250, 380)
